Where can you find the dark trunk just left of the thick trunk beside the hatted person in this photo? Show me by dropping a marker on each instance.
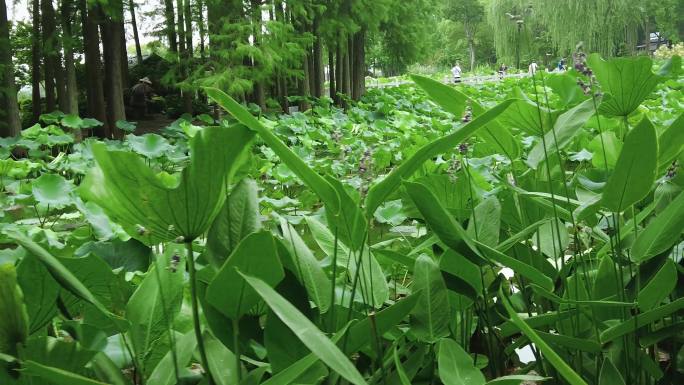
(93, 68)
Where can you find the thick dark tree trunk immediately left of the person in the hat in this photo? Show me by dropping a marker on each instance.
(111, 44)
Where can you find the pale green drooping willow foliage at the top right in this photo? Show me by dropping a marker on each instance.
(605, 26)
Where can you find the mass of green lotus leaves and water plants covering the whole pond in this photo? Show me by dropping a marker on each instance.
(418, 237)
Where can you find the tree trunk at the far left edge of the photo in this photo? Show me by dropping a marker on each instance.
(12, 126)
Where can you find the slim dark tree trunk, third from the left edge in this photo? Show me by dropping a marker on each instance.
(48, 30)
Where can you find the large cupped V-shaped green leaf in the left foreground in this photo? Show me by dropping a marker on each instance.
(154, 211)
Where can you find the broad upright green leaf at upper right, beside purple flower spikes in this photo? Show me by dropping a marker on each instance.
(627, 81)
